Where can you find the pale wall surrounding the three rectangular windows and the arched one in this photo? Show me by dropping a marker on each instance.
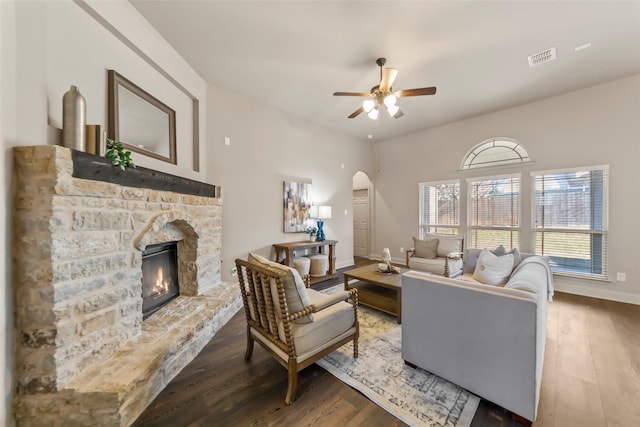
(593, 126)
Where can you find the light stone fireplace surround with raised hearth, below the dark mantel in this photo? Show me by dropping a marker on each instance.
(83, 355)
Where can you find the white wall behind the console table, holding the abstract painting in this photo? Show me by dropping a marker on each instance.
(267, 148)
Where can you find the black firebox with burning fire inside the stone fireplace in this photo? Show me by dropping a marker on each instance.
(159, 276)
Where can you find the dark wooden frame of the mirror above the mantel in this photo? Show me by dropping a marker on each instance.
(115, 81)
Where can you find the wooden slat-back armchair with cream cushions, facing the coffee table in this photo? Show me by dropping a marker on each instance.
(296, 325)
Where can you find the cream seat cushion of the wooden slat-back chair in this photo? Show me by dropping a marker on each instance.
(327, 324)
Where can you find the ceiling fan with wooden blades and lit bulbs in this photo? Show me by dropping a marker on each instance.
(383, 95)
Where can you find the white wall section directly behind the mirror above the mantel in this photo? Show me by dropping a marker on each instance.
(80, 49)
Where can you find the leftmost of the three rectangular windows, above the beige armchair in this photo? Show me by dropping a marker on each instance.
(440, 207)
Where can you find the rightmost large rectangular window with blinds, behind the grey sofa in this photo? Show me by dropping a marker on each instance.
(571, 220)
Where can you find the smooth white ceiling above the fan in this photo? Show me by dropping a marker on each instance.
(293, 55)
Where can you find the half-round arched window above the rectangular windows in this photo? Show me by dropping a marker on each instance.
(495, 152)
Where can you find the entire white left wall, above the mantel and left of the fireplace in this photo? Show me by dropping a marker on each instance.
(48, 46)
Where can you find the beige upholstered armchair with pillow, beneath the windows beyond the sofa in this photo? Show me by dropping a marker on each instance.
(437, 254)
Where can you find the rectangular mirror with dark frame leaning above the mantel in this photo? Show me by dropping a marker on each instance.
(140, 121)
